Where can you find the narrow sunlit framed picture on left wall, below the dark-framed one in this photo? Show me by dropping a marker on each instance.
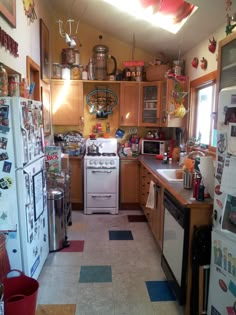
(45, 97)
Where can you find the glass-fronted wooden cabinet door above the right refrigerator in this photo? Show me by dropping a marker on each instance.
(227, 61)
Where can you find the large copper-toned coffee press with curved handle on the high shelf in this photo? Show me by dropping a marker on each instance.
(100, 57)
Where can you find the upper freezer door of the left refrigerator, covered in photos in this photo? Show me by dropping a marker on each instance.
(27, 131)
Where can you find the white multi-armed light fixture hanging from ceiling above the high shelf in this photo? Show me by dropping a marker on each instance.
(67, 32)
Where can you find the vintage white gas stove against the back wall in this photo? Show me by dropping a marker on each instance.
(101, 176)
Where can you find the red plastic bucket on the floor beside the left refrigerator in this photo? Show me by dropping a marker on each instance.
(20, 294)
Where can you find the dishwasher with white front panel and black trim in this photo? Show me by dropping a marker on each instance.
(174, 258)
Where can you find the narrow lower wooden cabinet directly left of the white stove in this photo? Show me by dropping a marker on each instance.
(76, 195)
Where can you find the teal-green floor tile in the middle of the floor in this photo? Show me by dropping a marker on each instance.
(96, 274)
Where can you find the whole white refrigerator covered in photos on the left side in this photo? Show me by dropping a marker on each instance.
(23, 194)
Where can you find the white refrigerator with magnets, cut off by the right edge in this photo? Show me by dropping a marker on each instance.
(222, 286)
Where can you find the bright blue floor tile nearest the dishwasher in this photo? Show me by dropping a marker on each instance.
(159, 291)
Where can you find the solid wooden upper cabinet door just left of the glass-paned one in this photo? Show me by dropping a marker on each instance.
(129, 103)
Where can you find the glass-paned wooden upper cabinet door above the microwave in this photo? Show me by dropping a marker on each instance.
(150, 104)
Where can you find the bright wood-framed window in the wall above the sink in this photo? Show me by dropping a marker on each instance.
(202, 125)
